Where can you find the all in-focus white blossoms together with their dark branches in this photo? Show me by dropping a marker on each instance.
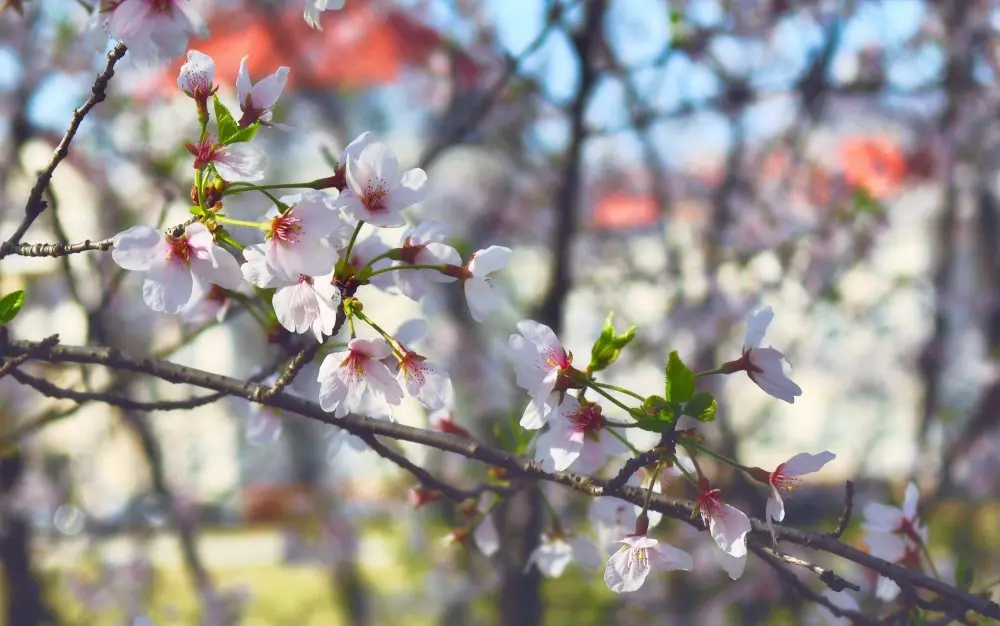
(323, 244)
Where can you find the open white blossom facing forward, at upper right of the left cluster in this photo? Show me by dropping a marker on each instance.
(376, 192)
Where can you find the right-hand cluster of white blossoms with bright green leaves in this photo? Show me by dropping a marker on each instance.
(577, 435)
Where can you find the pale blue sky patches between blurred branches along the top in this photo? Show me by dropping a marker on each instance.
(638, 29)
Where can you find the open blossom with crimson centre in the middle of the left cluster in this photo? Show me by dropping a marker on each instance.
(298, 239)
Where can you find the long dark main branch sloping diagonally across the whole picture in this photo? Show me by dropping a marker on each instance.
(682, 510)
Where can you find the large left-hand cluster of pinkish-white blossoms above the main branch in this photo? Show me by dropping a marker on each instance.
(320, 246)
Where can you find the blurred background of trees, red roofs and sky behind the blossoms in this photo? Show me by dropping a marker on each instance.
(677, 162)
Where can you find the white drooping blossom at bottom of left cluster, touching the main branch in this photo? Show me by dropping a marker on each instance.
(355, 375)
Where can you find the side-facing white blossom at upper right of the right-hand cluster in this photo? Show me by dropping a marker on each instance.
(764, 365)
